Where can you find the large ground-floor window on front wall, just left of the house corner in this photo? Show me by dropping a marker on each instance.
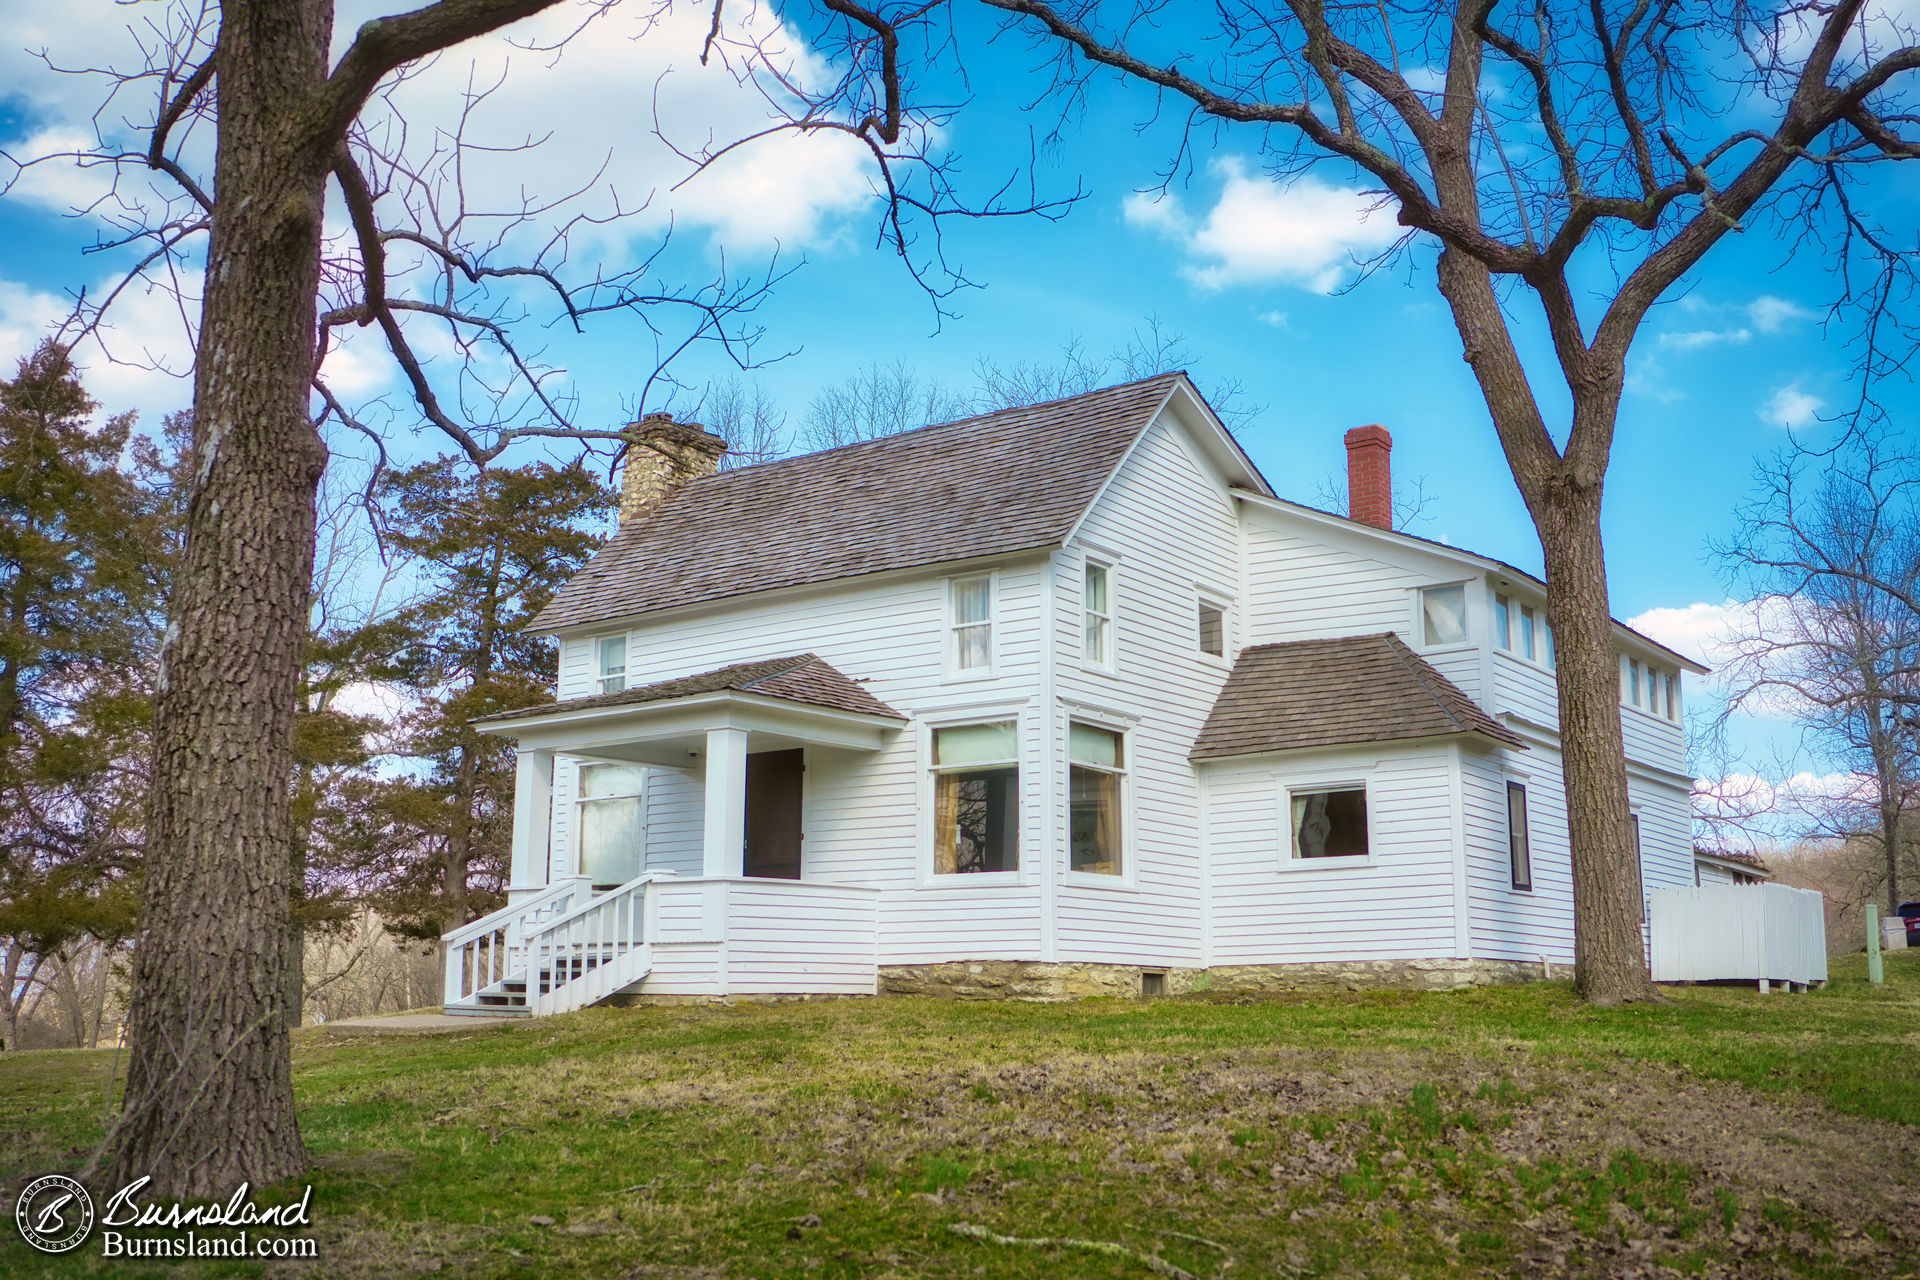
(976, 799)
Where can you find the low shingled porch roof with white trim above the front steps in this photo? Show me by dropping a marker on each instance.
(780, 701)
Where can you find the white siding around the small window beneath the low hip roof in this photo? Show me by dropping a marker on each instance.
(1268, 911)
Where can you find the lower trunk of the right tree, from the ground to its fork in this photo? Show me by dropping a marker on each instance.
(1610, 957)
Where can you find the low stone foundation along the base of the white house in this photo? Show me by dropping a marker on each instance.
(1028, 980)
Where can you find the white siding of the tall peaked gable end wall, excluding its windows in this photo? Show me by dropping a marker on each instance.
(1172, 523)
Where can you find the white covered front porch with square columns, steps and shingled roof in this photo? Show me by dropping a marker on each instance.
(600, 920)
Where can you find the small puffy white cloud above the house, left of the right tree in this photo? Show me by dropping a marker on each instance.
(1307, 233)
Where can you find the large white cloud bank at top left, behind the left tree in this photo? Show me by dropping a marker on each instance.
(590, 108)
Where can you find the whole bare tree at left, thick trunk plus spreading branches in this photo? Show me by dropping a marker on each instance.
(249, 124)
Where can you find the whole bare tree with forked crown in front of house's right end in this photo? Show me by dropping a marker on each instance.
(1562, 166)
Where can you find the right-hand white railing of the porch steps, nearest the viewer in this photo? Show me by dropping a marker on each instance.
(590, 951)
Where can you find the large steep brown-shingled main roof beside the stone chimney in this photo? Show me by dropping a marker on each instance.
(997, 485)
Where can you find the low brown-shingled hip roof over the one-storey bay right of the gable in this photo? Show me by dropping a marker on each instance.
(1337, 694)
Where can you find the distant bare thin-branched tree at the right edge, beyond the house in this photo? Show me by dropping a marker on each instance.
(1831, 556)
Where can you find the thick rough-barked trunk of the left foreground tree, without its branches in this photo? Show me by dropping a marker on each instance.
(210, 1099)
